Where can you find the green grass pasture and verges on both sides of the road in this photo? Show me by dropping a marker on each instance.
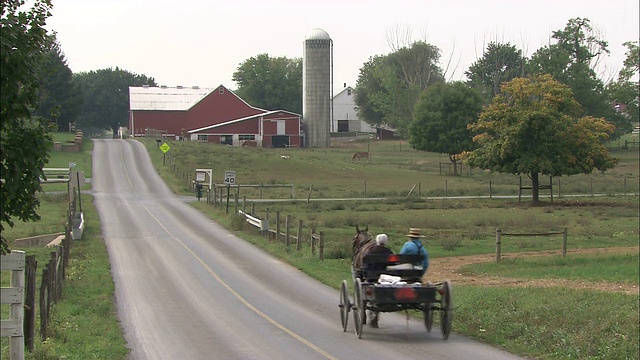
(544, 323)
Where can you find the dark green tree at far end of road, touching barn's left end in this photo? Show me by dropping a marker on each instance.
(106, 97)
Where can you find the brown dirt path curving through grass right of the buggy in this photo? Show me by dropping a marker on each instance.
(449, 268)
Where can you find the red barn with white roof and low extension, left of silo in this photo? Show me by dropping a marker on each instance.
(211, 115)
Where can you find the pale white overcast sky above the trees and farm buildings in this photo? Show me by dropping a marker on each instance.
(202, 42)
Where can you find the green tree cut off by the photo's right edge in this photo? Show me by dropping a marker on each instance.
(624, 90)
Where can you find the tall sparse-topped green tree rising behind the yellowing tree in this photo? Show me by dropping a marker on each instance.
(572, 61)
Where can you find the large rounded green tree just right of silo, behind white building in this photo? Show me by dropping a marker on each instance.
(390, 85)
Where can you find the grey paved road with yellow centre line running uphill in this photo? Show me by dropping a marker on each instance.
(186, 288)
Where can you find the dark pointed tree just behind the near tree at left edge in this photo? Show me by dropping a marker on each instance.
(60, 96)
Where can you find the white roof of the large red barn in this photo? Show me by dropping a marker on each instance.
(165, 98)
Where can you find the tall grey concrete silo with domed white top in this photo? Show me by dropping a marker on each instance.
(317, 79)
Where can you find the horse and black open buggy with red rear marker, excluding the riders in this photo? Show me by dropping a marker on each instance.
(391, 283)
